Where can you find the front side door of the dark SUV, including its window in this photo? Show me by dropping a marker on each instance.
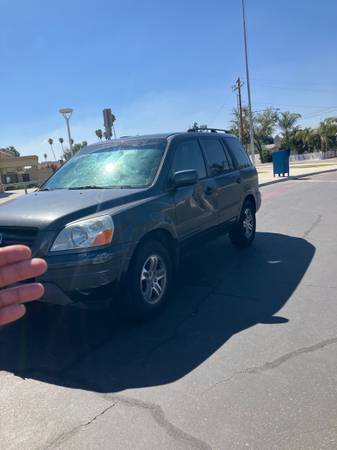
(196, 205)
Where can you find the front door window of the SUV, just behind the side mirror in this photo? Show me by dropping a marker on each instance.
(188, 156)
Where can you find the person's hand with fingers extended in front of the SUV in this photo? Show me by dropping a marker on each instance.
(16, 264)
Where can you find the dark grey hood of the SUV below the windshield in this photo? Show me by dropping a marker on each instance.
(53, 209)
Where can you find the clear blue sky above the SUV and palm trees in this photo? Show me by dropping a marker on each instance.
(159, 65)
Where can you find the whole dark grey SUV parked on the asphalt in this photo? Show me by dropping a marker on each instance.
(120, 212)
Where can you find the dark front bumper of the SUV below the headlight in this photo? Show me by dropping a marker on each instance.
(75, 278)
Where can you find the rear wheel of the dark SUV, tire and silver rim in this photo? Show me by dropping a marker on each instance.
(243, 232)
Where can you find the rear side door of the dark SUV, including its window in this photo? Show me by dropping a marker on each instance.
(226, 178)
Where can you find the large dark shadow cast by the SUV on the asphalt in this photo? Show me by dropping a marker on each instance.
(220, 291)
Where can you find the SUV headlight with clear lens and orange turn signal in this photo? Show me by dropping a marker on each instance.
(85, 233)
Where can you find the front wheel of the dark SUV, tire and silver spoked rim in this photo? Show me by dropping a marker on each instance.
(149, 281)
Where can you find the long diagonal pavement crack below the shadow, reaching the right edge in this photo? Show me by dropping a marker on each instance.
(276, 363)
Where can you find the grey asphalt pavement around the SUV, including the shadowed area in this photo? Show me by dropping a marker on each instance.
(244, 357)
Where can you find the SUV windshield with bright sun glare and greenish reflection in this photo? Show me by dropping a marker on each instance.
(132, 164)
